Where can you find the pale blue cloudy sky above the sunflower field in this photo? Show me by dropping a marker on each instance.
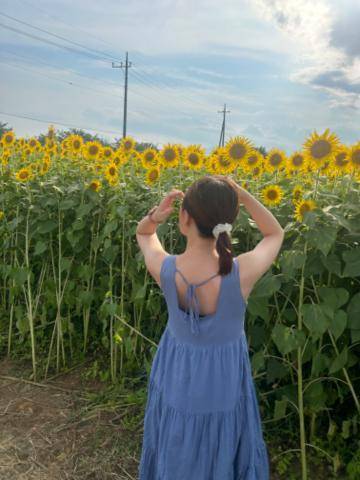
(284, 69)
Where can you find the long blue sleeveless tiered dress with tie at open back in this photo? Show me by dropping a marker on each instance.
(202, 418)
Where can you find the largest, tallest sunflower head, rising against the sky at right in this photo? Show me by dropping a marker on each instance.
(321, 148)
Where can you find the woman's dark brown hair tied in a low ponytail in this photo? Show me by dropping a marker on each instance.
(210, 200)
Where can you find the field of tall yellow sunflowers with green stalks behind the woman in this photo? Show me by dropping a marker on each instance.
(73, 281)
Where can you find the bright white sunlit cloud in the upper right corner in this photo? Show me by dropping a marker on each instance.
(309, 27)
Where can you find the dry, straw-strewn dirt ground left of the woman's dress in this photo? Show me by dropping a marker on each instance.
(55, 430)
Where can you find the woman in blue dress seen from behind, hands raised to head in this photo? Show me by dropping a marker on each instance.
(202, 418)
